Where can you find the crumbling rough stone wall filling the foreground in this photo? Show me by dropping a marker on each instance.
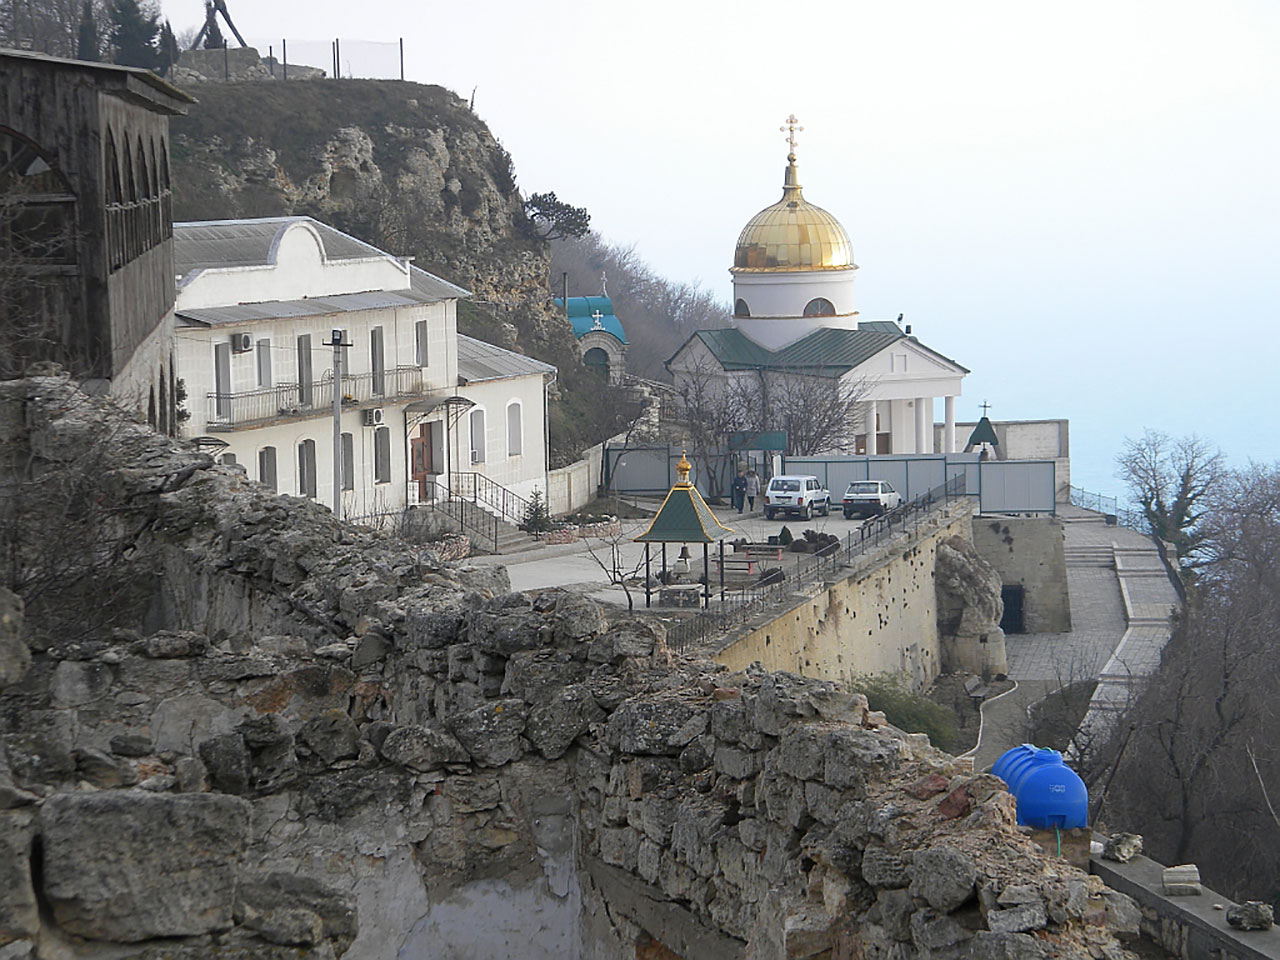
(394, 757)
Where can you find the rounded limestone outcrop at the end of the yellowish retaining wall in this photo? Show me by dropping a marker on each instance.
(970, 610)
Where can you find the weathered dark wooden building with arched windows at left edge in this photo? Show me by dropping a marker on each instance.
(86, 225)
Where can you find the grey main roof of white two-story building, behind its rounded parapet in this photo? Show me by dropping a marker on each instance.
(217, 245)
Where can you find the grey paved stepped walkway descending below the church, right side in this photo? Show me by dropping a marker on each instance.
(1101, 632)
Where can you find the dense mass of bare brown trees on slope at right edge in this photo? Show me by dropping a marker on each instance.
(1201, 764)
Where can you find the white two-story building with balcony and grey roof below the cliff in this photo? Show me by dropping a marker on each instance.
(422, 409)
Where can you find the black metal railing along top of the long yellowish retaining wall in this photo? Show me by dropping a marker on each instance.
(742, 605)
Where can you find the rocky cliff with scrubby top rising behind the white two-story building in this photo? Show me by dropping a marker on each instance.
(406, 167)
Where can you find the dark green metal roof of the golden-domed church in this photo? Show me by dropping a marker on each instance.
(826, 353)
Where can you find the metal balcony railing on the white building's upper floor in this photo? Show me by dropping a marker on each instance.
(231, 412)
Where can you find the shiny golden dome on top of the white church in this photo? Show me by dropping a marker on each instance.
(793, 235)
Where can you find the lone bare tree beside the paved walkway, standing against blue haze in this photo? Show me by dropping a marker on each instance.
(1173, 482)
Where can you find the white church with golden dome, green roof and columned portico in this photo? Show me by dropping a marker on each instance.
(796, 321)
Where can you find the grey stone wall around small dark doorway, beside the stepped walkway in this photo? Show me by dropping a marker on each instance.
(1031, 552)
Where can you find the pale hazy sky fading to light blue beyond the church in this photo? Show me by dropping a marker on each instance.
(1081, 203)
